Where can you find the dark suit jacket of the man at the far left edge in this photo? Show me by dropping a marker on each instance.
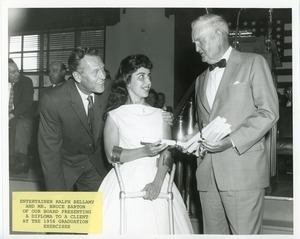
(23, 97)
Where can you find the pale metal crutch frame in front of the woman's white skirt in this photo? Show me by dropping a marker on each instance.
(163, 195)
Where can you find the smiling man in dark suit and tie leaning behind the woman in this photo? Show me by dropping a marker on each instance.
(70, 151)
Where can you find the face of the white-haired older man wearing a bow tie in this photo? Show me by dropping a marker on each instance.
(207, 43)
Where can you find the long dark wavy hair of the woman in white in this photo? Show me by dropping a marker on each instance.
(119, 93)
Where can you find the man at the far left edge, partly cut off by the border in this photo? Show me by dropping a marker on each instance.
(20, 118)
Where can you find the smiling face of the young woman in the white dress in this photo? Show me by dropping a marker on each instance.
(139, 85)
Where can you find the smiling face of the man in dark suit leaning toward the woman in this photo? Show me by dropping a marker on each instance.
(90, 75)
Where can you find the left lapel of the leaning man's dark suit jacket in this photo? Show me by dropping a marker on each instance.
(77, 105)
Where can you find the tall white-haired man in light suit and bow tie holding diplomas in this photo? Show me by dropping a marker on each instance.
(233, 174)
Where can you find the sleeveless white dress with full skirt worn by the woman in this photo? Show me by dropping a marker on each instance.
(136, 123)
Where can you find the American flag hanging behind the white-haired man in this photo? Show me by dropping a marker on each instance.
(282, 36)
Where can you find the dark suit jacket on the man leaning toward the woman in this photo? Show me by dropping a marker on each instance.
(65, 141)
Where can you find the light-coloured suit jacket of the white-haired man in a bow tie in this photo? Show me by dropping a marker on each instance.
(247, 98)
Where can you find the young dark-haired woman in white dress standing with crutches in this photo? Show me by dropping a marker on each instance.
(129, 121)
